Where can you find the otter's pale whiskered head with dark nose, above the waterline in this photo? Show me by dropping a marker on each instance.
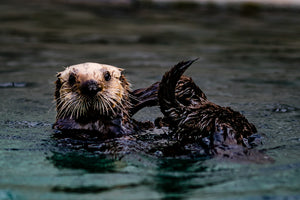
(90, 90)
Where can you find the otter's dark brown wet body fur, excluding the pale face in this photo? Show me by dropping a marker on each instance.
(197, 126)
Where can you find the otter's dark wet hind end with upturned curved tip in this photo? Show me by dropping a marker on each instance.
(193, 119)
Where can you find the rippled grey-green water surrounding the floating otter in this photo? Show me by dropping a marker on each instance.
(249, 61)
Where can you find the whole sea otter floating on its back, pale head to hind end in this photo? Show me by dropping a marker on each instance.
(95, 106)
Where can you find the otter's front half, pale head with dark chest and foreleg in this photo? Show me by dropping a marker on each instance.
(97, 98)
